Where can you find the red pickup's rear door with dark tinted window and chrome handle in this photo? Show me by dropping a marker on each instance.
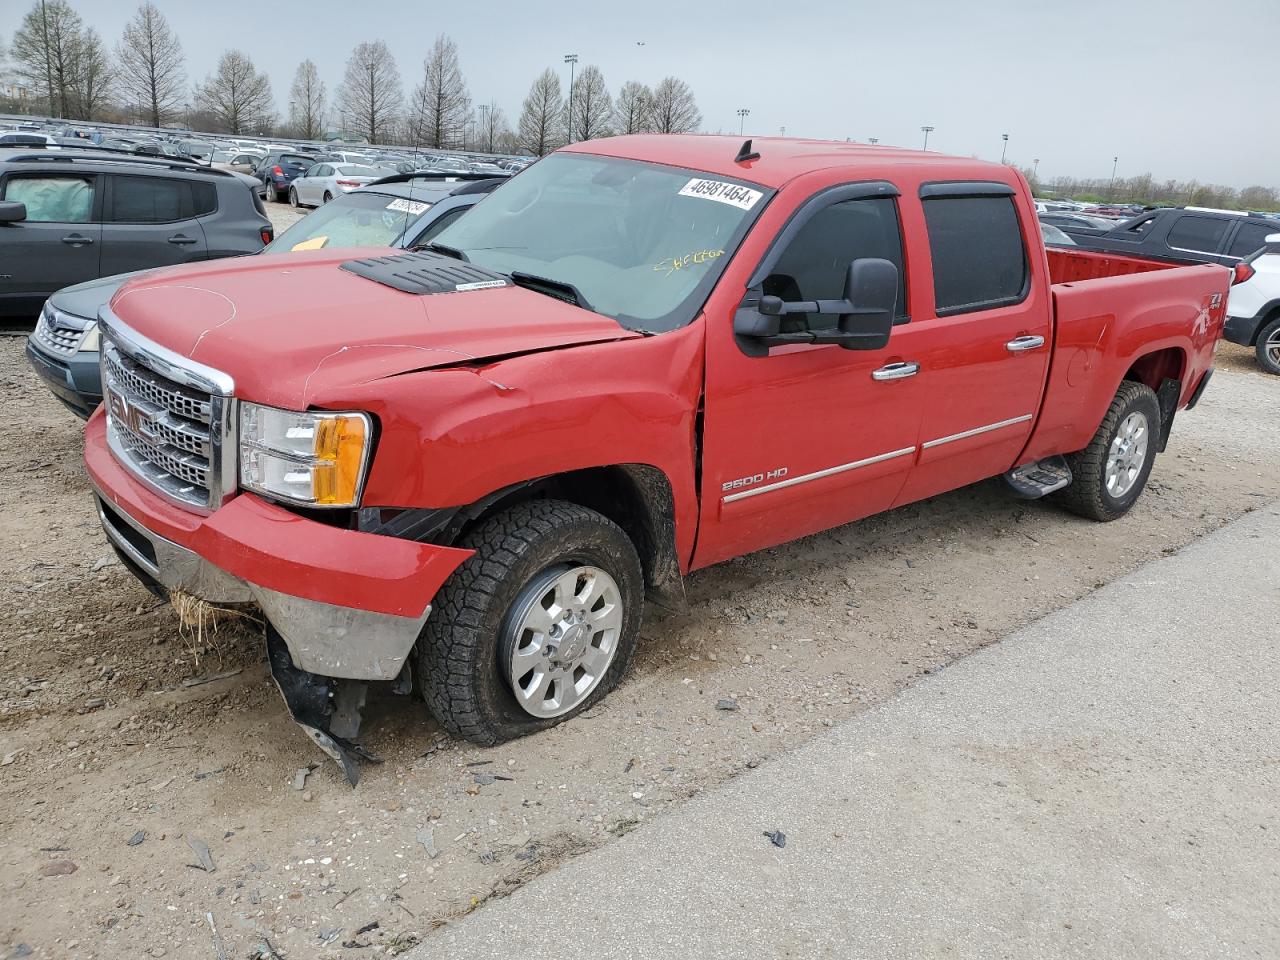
(986, 358)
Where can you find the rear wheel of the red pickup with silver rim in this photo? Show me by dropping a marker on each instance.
(1110, 474)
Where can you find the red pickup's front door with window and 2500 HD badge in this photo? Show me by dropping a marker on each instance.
(810, 437)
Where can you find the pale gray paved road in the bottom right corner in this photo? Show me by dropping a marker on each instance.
(1103, 784)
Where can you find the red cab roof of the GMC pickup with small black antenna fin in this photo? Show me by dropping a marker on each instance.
(781, 159)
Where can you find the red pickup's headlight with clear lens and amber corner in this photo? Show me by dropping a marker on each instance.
(316, 459)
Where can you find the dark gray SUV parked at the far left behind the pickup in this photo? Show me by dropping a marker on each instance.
(71, 216)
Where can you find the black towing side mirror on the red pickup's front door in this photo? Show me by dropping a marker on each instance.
(866, 314)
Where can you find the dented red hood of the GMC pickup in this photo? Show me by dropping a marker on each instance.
(295, 330)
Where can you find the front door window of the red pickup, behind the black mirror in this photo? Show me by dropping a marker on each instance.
(816, 262)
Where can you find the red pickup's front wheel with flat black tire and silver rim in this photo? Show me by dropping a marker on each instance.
(536, 628)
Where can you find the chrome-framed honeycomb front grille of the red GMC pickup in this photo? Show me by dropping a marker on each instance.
(167, 432)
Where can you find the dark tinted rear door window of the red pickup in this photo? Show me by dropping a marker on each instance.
(979, 255)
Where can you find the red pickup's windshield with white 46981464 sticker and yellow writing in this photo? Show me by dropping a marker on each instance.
(642, 244)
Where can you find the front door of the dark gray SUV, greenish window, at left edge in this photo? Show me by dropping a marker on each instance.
(60, 244)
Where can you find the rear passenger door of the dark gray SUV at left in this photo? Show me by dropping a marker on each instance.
(152, 222)
